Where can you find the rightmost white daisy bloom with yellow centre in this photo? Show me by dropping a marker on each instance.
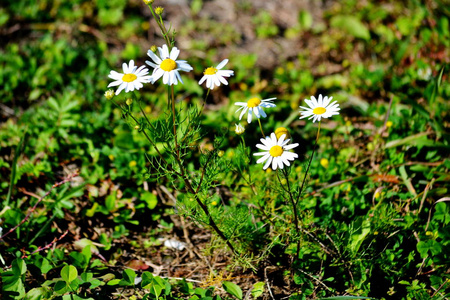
(320, 108)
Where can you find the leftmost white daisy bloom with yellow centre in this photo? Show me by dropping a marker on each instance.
(131, 79)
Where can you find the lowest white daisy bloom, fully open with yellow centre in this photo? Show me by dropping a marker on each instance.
(276, 152)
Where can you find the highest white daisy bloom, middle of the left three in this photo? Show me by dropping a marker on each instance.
(166, 66)
